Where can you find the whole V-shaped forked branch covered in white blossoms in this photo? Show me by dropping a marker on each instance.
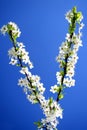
(31, 84)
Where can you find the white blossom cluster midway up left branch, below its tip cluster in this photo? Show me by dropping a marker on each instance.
(19, 53)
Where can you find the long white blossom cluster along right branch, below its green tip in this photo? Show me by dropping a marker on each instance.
(68, 58)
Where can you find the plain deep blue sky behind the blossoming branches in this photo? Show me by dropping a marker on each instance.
(43, 27)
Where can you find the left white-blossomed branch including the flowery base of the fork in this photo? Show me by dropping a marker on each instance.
(31, 84)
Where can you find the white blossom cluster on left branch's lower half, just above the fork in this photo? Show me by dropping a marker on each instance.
(33, 88)
